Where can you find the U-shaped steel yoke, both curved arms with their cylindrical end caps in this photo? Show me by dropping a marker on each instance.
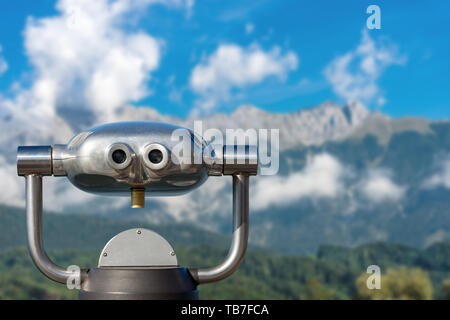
(34, 162)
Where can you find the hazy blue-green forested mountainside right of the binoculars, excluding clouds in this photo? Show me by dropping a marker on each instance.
(420, 218)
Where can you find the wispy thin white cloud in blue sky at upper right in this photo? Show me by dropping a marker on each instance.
(355, 74)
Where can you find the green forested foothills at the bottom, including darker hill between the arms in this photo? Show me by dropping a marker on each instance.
(332, 273)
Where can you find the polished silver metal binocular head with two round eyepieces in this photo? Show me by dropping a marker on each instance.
(89, 163)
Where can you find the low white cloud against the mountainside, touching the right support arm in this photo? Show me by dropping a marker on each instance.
(323, 176)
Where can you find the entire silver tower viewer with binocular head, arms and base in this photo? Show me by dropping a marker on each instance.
(137, 159)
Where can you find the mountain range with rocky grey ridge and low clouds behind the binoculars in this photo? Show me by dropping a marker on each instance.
(347, 176)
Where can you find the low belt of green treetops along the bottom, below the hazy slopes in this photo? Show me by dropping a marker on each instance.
(332, 274)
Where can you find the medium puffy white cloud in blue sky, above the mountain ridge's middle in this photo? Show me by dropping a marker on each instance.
(232, 66)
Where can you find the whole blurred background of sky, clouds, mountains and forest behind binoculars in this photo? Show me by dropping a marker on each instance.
(363, 114)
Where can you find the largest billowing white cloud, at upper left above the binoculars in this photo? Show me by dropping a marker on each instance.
(85, 60)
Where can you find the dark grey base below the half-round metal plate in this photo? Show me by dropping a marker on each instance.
(138, 284)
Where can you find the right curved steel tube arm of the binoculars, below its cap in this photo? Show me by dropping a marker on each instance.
(240, 236)
